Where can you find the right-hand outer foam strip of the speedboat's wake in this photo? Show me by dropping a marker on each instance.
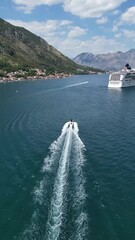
(79, 196)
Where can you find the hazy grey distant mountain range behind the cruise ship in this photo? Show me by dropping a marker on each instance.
(107, 62)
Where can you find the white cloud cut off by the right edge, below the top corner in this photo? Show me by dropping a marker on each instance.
(128, 17)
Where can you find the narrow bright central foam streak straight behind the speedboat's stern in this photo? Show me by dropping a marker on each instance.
(57, 203)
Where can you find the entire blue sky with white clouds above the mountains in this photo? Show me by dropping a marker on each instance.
(76, 26)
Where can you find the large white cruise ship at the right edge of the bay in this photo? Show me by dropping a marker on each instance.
(122, 78)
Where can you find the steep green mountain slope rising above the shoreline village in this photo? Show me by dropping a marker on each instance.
(21, 49)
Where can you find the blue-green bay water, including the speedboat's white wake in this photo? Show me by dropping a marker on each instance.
(56, 183)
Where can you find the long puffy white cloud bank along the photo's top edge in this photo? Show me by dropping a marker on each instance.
(80, 8)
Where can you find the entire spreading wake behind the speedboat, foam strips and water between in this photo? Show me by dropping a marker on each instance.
(60, 196)
